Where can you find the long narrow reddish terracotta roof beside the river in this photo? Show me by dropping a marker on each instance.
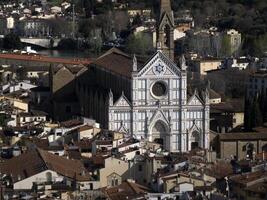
(40, 58)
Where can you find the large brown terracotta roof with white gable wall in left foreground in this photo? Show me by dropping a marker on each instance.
(37, 161)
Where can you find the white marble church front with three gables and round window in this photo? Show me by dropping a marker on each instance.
(160, 109)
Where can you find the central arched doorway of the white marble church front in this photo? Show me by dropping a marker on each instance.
(159, 133)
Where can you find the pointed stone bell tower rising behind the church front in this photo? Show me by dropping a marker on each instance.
(165, 30)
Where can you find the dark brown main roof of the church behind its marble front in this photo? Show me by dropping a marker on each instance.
(116, 61)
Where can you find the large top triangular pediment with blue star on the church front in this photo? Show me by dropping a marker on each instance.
(159, 65)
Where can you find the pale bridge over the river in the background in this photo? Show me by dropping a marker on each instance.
(41, 42)
